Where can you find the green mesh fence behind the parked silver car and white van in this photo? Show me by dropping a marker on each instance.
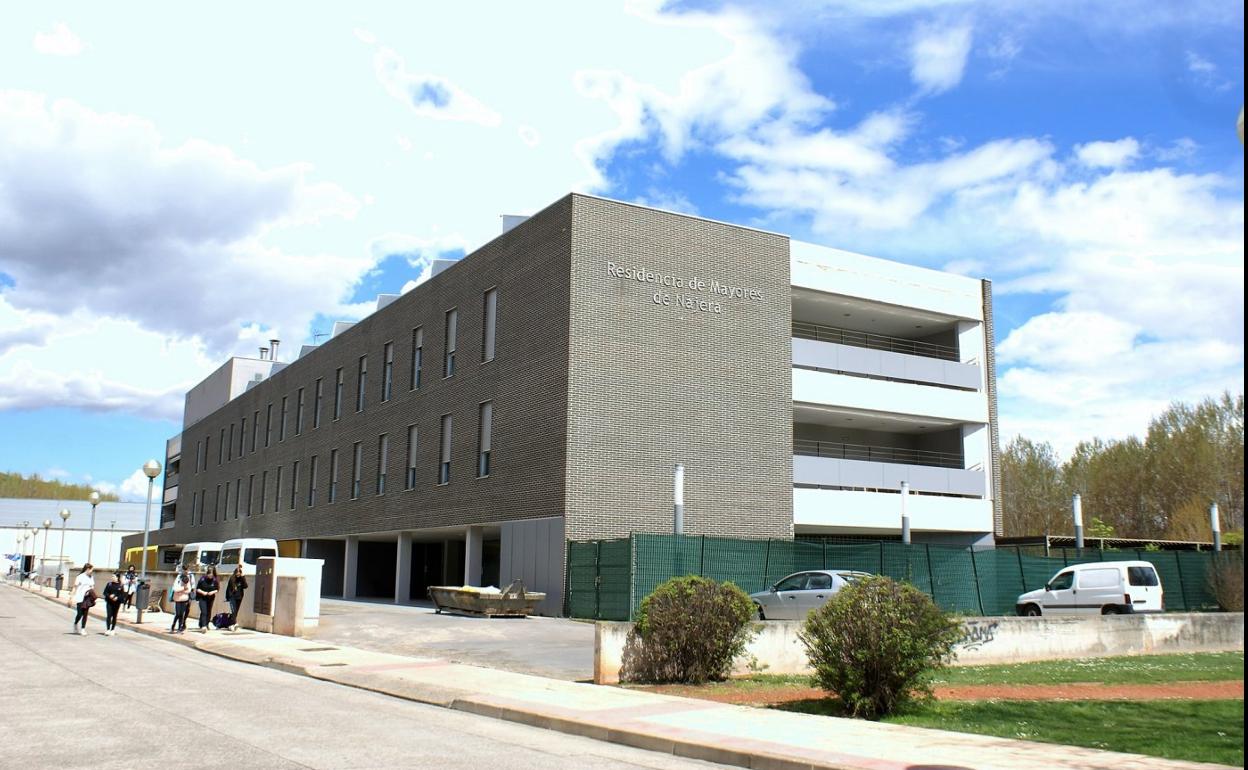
(607, 580)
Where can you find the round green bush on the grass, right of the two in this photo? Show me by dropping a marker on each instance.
(877, 643)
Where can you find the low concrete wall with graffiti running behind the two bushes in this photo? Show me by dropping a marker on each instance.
(989, 641)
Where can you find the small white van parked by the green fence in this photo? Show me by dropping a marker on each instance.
(1100, 588)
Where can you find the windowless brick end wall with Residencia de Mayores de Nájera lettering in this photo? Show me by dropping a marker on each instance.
(666, 371)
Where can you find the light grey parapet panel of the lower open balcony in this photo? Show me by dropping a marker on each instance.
(865, 475)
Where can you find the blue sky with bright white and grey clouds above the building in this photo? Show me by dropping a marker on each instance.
(179, 187)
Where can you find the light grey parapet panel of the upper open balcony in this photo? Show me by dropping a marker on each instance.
(885, 364)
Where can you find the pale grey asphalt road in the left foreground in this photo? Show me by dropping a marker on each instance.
(133, 702)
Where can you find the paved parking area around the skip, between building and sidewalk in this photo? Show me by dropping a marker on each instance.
(547, 647)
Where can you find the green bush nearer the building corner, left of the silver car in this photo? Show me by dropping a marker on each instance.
(688, 631)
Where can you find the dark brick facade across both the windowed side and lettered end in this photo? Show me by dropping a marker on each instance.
(597, 392)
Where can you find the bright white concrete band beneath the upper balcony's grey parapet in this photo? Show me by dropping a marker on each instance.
(884, 397)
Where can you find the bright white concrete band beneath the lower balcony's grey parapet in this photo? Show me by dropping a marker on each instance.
(851, 512)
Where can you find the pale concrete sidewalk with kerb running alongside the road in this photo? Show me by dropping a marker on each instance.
(698, 729)
